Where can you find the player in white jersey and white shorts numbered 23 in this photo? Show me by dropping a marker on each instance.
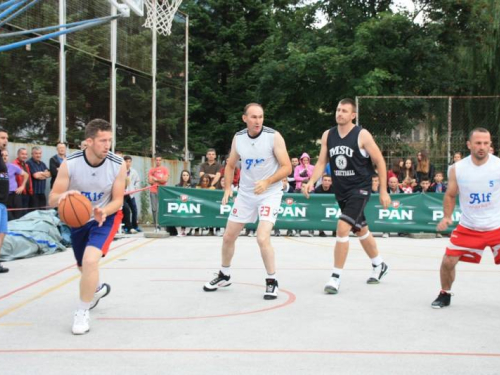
(264, 163)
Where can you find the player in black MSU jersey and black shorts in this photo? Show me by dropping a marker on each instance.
(351, 150)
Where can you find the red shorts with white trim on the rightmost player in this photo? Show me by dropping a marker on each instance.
(469, 244)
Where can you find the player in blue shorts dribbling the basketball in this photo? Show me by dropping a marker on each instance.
(99, 175)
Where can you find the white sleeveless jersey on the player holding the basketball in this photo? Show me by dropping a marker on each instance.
(94, 182)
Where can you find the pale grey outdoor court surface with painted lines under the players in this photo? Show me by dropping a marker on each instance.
(158, 320)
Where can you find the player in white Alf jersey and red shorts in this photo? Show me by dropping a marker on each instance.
(476, 180)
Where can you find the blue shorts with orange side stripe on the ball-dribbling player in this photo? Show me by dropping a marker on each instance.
(91, 234)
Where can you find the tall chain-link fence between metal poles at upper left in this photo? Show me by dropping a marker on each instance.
(29, 80)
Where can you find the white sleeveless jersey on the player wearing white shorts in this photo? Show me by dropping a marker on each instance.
(258, 161)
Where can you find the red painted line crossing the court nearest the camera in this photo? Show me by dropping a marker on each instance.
(249, 351)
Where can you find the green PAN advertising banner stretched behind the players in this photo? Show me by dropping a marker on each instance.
(202, 208)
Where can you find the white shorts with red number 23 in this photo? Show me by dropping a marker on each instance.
(246, 209)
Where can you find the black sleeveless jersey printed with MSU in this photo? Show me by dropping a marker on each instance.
(351, 170)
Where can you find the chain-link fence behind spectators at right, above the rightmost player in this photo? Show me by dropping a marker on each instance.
(404, 125)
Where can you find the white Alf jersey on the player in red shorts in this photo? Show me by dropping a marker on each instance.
(479, 193)
